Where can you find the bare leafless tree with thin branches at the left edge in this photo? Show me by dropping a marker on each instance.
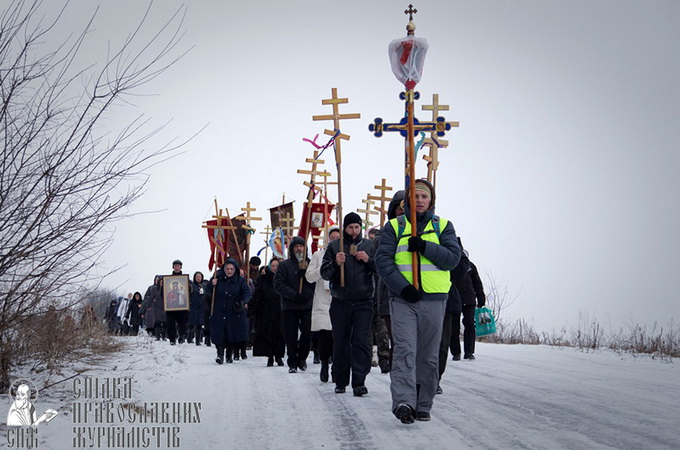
(65, 174)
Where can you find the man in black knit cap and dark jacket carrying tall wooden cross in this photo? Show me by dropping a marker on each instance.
(351, 306)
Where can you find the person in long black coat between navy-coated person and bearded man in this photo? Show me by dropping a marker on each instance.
(265, 310)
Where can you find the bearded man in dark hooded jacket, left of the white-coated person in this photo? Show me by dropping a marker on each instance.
(296, 304)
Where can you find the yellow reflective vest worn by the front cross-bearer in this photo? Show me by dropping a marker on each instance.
(433, 280)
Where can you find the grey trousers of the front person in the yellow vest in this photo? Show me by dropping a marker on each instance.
(417, 333)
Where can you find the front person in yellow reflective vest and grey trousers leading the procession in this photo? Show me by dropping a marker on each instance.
(417, 313)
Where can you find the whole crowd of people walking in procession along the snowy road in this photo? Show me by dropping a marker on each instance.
(353, 294)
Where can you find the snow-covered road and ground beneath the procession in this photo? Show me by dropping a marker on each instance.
(528, 397)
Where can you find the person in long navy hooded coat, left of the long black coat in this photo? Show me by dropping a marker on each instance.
(228, 322)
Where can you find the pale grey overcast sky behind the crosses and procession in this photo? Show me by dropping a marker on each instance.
(562, 179)
